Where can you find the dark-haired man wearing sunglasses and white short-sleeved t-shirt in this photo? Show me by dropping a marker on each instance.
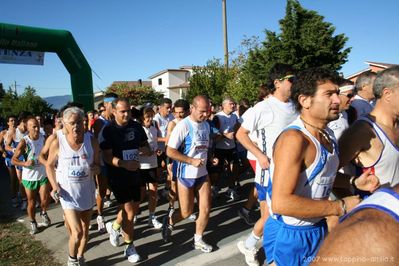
(266, 119)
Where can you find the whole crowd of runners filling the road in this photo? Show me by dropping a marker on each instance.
(317, 144)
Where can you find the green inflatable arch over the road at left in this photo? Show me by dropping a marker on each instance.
(17, 37)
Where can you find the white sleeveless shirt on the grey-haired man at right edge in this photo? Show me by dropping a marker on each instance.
(386, 168)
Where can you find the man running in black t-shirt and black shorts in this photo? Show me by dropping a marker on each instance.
(123, 140)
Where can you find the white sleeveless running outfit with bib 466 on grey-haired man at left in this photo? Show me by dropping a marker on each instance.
(74, 175)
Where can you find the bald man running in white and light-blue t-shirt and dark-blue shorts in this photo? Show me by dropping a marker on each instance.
(188, 144)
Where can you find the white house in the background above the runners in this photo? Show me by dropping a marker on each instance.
(173, 83)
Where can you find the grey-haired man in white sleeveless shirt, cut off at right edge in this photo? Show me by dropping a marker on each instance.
(372, 143)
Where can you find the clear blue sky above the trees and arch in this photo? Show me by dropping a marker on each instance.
(131, 40)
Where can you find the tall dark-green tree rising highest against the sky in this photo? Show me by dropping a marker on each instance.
(306, 40)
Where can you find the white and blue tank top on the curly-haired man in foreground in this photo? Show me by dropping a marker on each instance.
(316, 181)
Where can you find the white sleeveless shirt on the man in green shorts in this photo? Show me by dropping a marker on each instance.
(37, 171)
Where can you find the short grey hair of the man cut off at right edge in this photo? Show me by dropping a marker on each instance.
(388, 78)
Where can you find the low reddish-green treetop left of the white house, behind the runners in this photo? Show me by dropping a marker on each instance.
(137, 95)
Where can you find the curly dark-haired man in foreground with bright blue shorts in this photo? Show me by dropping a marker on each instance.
(302, 173)
